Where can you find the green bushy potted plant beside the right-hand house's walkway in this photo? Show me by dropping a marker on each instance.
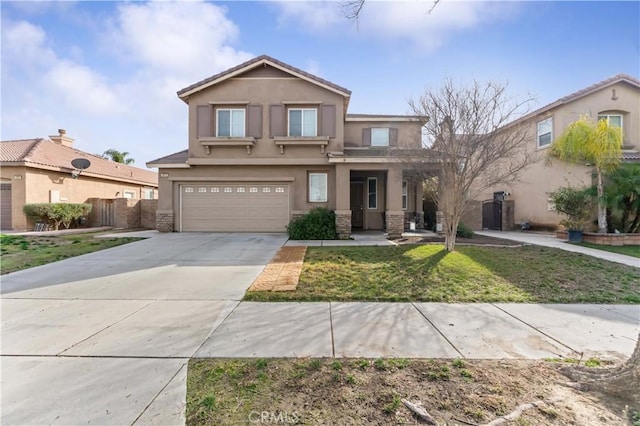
(576, 205)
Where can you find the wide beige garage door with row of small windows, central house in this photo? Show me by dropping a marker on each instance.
(235, 207)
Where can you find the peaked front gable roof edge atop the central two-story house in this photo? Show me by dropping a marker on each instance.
(257, 62)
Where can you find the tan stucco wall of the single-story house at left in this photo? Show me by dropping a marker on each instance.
(35, 186)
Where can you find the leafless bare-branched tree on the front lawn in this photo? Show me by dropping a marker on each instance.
(476, 143)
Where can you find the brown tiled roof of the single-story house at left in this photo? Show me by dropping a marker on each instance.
(45, 154)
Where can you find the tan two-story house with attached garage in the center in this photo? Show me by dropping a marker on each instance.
(268, 142)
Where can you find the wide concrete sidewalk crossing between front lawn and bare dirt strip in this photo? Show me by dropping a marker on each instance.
(425, 330)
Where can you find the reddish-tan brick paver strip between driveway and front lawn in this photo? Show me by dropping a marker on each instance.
(283, 271)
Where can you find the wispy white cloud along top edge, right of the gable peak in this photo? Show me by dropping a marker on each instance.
(396, 20)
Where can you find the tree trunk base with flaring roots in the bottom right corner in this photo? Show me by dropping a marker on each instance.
(620, 383)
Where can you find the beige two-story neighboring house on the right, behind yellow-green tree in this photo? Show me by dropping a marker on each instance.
(616, 99)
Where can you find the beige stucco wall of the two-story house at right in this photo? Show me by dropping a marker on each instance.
(531, 193)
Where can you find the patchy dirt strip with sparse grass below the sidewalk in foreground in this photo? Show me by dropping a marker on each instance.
(365, 391)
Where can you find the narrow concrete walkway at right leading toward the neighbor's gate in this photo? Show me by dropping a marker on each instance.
(550, 240)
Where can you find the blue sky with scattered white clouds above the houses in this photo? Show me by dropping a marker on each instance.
(108, 72)
